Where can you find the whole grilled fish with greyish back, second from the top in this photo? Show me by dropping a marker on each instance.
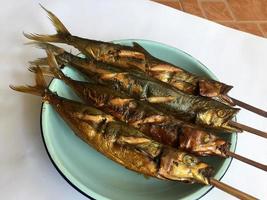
(195, 109)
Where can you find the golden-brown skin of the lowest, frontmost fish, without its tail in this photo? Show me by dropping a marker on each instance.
(132, 150)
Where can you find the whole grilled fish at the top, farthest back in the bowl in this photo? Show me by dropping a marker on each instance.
(137, 57)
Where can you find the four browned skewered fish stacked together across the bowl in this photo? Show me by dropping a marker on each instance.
(143, 113)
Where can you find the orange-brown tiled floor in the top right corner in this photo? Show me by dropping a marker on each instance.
(249, 16)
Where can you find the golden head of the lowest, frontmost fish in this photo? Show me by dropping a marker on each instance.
(178, 165)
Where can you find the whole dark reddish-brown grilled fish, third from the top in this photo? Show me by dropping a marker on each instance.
(142, 116)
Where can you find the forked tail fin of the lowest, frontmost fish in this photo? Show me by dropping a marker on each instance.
(39, 89)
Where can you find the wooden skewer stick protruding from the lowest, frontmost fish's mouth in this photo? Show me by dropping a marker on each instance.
(230, 190)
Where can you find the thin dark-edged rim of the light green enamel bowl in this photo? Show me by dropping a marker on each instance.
(118, 41)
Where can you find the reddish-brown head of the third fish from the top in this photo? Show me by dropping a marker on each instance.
(202, 143)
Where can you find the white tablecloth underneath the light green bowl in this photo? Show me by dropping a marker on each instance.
(237, 58)
